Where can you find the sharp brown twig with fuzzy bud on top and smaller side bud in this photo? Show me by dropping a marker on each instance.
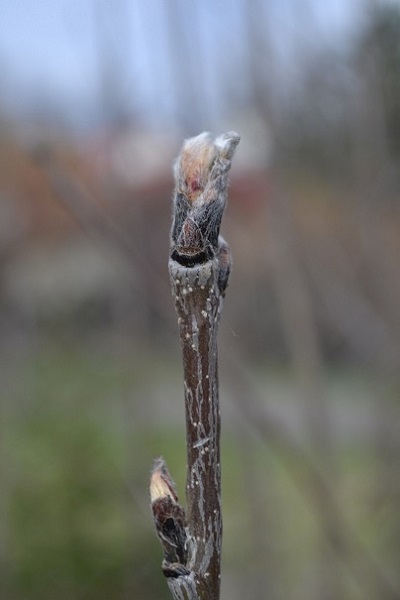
(199, 268)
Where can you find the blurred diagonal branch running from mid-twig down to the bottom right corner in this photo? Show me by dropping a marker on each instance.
(309, 473)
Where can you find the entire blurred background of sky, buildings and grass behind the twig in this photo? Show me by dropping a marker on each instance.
(95, 100)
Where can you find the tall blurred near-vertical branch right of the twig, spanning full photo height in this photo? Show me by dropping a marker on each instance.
(295, 308)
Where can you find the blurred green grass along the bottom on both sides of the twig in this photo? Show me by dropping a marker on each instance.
(75, 475)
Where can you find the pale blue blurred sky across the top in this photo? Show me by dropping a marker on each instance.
(57, 51)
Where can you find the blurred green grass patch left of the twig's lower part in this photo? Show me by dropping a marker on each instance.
(73, 528)
